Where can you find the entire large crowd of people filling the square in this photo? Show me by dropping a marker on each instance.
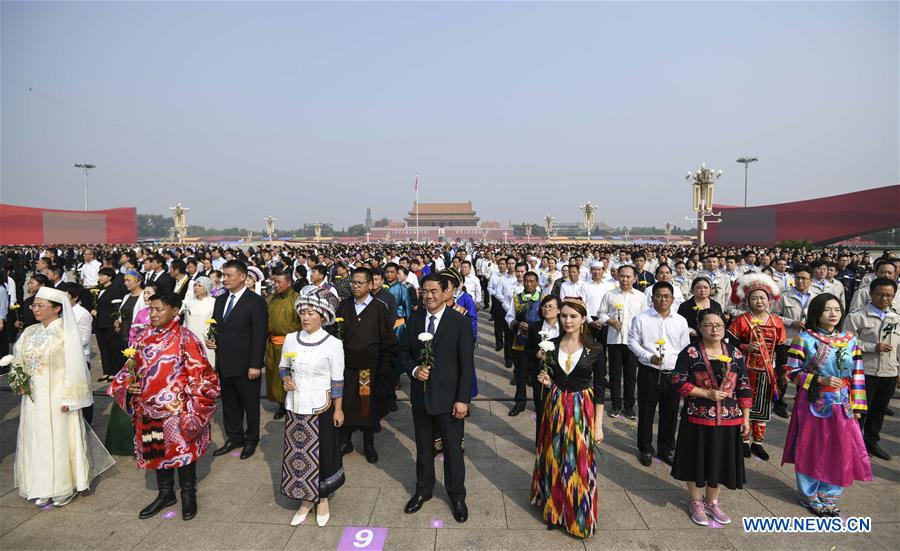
(699, 343)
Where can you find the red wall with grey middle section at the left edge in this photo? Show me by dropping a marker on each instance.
(35, 226)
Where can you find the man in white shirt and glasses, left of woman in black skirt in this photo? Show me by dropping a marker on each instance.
(656, 338)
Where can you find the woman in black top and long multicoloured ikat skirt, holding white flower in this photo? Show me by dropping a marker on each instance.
(564, 483)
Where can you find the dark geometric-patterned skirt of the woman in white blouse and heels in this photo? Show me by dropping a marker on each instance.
(312, 467)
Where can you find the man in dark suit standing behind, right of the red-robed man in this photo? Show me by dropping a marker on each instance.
(242, 320)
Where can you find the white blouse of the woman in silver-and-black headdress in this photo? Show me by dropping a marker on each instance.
(319, 362)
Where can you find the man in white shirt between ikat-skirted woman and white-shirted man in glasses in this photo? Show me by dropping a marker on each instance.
(617, 309)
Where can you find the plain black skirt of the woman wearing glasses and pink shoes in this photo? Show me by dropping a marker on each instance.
(708, 455)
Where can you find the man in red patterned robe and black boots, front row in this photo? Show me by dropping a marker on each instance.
(170, 391)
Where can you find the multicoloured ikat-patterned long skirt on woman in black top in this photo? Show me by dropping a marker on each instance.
(564, 483)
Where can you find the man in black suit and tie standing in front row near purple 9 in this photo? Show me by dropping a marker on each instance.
(440, 394)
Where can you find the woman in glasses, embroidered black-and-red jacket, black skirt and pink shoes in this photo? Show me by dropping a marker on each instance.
(710, 374)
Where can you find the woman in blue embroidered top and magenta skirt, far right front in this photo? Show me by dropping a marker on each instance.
(824, 441)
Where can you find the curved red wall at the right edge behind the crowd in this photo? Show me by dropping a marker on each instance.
(820, 221)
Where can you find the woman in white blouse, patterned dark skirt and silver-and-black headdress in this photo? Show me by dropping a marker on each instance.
(312, 370)
